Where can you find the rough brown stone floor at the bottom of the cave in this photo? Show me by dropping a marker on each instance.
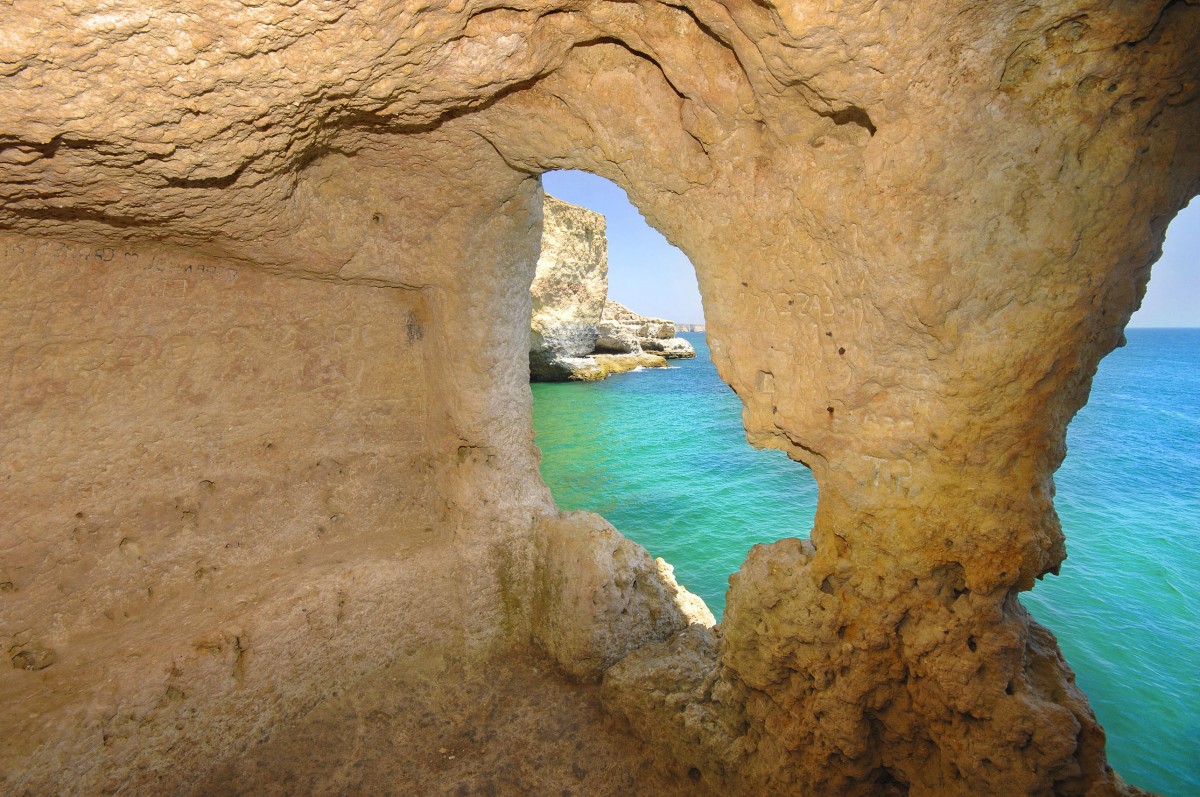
(514, 727)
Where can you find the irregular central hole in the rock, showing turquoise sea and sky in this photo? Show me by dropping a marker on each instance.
(662, 454)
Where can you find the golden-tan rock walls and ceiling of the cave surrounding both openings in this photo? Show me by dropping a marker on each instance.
(266, 417)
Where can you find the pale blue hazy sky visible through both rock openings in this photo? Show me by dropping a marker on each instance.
(652, 278)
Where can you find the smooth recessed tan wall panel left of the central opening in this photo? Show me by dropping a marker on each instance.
(178, 433)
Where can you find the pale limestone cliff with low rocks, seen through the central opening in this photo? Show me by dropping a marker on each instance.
(575, 334)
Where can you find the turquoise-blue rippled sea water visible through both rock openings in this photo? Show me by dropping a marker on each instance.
(662, 454)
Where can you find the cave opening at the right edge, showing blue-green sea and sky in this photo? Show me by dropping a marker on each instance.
(1130, 477)
